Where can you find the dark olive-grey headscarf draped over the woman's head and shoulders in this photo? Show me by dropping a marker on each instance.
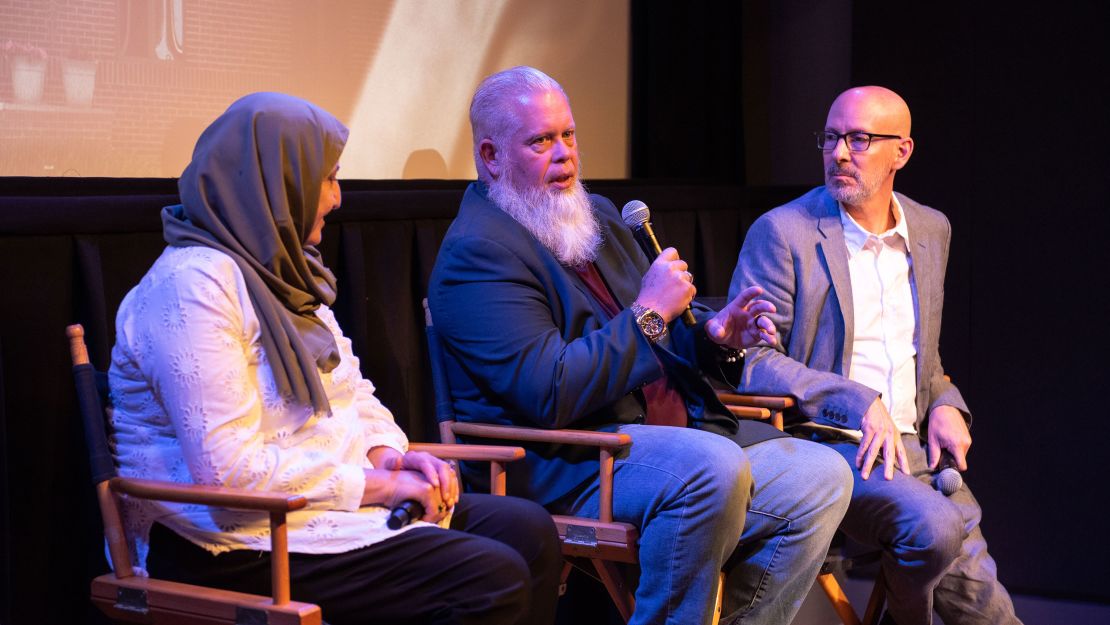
(253, 193)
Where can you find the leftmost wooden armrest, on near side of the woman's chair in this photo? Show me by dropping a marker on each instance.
(208, 496)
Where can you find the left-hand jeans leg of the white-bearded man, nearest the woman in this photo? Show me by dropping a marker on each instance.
(687, 491)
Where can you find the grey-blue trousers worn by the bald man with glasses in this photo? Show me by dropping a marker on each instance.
(934, 553)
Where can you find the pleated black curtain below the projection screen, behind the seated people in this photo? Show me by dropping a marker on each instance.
(70, 250)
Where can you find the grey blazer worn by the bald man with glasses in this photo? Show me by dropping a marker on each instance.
(798, 254)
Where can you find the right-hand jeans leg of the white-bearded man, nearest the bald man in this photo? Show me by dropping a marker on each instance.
(802, 492)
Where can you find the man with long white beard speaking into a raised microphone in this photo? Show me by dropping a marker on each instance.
(552, 317)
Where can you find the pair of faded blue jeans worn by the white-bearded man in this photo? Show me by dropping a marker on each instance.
(690, 492)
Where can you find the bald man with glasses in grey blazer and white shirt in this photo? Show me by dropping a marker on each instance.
(856, 274)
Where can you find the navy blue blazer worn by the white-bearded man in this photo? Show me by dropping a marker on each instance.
(528, 345)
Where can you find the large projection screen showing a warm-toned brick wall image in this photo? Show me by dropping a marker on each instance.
(123, 88)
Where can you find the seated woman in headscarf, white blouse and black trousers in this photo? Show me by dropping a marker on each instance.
(230, 370)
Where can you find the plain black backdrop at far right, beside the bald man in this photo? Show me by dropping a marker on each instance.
(1030, 255)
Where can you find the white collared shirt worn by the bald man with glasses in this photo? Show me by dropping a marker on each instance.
(883, 354)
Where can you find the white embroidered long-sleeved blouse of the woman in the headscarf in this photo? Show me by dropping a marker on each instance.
(194, 395)
